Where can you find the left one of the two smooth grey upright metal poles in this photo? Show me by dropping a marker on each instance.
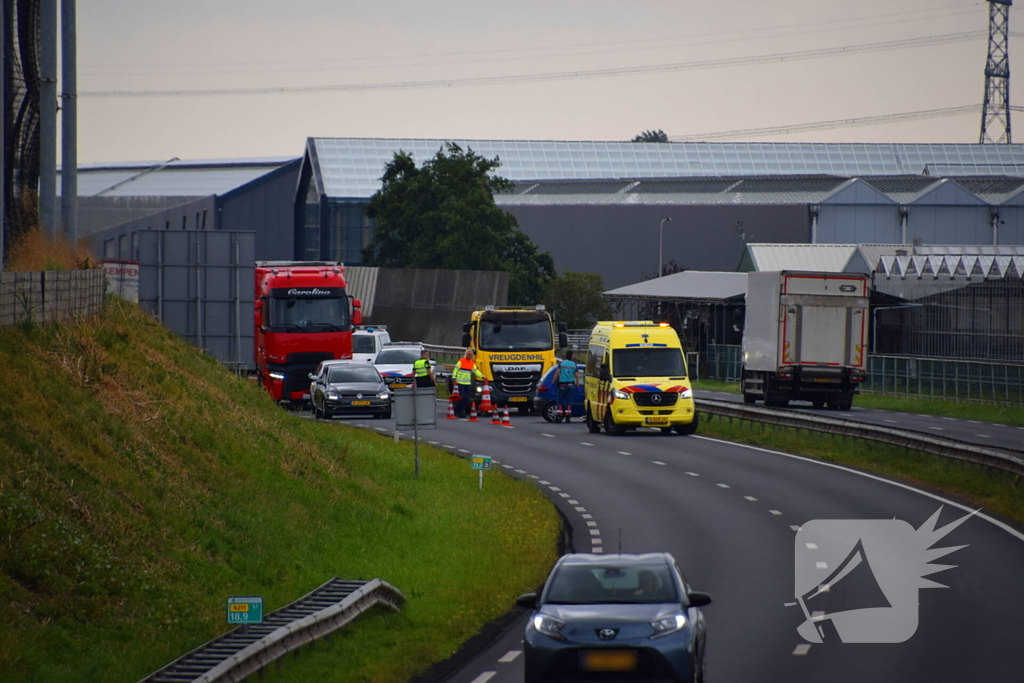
(49, 117)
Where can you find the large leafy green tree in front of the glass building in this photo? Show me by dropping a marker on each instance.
(443, 216)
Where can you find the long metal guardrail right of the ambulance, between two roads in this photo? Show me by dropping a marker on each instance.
(937, 446)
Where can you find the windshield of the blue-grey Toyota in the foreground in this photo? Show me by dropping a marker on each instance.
(615, 584)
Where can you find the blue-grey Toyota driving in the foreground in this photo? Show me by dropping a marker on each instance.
(616, 618)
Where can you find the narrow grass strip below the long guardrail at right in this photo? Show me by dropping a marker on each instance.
(995, 491)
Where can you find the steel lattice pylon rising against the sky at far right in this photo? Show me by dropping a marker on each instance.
(996, 111)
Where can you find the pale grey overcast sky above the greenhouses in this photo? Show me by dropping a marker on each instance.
(225, 46)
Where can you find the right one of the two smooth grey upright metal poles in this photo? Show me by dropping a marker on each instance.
(69, 122)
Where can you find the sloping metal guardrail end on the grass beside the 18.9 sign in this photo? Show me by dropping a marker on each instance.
(247, 650)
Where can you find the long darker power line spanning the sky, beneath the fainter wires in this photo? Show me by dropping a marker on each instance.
(560, 76)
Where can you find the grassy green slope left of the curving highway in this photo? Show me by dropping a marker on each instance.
(142, 485)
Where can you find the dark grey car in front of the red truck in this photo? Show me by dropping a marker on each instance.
(349, 388)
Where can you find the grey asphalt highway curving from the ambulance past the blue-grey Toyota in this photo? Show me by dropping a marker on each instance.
(731, 515)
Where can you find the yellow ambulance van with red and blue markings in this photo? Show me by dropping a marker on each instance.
(636, 377)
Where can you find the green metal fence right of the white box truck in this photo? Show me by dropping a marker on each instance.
(946, 378)
